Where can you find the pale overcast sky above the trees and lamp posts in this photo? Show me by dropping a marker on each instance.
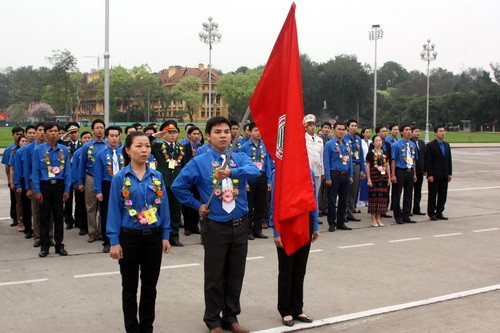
(161, 33)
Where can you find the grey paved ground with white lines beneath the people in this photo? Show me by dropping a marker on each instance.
(426, 277)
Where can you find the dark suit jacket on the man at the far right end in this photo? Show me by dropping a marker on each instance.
(436, 164)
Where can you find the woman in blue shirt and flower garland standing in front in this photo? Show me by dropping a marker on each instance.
(138, 227)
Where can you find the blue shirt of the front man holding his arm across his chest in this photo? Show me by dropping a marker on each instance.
(199, 172)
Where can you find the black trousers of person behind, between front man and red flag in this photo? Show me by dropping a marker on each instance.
(257, 201)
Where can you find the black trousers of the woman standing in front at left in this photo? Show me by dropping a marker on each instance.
(140, 254)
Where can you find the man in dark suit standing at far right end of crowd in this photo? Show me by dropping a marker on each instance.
(439, 170)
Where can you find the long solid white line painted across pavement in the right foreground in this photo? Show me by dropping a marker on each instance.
(378, 311)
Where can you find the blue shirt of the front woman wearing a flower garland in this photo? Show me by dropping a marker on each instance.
(142, 195)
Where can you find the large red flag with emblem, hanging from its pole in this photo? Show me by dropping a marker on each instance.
(276, 101)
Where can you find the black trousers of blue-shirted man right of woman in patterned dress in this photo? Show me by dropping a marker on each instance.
(403, 186)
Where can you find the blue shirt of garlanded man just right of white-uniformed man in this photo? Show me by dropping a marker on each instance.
(336, 157)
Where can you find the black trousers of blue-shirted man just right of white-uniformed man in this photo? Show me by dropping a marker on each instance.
(340, 189)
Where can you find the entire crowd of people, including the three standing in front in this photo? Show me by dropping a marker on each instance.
(135, 196)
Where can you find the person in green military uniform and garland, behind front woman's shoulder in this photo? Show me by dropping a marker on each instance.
(169, 155)
